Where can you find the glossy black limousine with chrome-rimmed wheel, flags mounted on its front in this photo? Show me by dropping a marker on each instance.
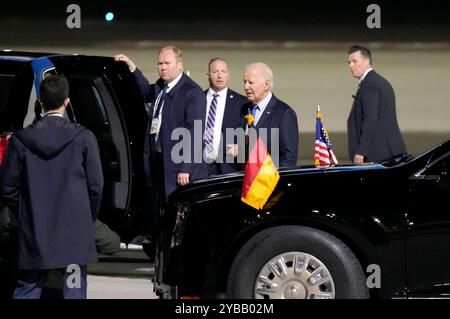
(374, 231)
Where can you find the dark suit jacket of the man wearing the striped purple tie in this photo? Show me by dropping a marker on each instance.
(231, 119)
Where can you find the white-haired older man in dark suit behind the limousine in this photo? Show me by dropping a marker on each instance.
(274, 120)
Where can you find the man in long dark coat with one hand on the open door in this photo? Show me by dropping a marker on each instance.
(176, 101)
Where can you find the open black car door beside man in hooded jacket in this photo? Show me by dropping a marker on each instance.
(105, 99)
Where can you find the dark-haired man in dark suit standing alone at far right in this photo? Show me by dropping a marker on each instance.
(372, 128)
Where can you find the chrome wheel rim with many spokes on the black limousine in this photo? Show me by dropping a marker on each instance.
(294, 275)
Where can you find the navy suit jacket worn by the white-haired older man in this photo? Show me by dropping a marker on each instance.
(281, 116)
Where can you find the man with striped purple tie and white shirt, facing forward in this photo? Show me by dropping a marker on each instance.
(223, 112)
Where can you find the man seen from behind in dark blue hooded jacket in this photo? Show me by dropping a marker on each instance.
(52, 182)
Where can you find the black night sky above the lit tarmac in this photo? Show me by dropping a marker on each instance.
(44, 21)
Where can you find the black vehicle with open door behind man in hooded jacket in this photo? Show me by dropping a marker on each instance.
(105, 99)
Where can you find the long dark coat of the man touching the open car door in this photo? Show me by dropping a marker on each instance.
(183, 104)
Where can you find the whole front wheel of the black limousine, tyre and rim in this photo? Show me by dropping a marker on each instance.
(295, 262)
